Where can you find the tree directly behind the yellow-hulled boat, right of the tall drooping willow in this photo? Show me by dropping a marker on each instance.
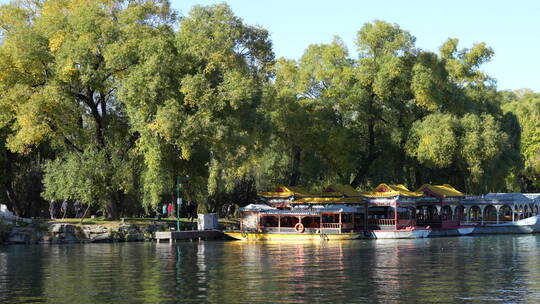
(309, 142)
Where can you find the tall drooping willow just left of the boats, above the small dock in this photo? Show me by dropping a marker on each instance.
(203, 117)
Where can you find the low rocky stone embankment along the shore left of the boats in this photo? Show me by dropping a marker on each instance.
(59, 233)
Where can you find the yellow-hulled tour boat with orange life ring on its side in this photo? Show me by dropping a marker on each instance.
(263, 222)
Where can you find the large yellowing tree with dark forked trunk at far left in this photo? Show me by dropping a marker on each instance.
(63, 63)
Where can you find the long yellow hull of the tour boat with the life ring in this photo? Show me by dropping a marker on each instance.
(239, 235)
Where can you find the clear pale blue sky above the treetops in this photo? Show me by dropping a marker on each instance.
(511, 28)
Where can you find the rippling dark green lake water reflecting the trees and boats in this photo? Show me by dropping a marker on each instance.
(486, 269)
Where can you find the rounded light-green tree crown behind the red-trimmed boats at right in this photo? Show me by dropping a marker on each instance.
(469, 144)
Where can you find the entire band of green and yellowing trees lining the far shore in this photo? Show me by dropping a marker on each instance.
(118, 98)
